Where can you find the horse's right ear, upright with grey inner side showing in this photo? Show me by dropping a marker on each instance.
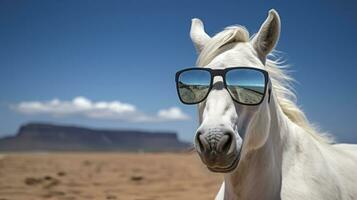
(267, 37)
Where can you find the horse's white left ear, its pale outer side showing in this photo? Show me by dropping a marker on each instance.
(198, 35)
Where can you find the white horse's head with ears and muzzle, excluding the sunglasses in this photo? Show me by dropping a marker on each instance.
(228, 130)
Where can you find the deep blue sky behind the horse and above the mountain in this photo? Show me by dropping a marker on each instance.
(123, 55)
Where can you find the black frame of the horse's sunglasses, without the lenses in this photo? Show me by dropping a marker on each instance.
(222, 73)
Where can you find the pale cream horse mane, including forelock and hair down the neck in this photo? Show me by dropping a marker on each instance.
(281, 80)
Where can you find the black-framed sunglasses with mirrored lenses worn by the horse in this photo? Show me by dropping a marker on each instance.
(246, 85)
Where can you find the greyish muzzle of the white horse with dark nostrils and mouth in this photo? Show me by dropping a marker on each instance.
(218, 149)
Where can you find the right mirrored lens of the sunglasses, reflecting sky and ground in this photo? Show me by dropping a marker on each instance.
(246, 85)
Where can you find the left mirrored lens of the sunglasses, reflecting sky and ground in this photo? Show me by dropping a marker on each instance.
(193, 85)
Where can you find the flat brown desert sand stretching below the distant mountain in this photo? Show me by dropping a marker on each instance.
(114, 176)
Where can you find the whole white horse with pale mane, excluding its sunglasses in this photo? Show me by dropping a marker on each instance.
(274, 152)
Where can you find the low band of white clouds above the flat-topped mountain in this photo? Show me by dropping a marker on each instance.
(81, 106)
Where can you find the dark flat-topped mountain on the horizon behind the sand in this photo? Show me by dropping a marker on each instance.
(49, 137)
